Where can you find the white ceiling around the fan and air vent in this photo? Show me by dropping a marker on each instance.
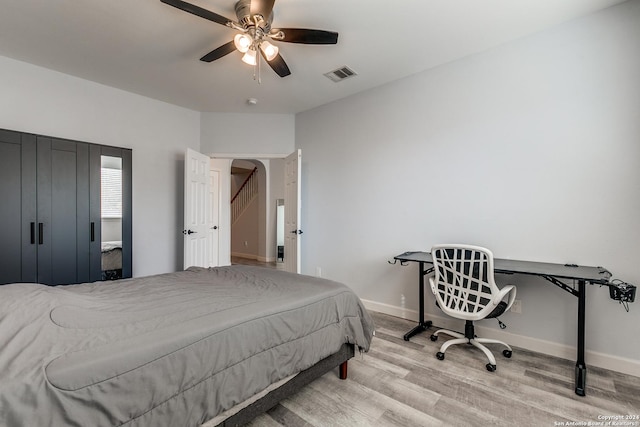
(153, 49)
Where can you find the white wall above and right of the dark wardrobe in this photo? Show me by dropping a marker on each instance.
(45, 102)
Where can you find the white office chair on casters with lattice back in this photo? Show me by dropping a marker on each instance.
(465, 288)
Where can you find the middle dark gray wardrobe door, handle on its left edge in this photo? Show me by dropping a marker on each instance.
(63, 211)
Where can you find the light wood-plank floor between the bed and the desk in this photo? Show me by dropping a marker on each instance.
(401, 383)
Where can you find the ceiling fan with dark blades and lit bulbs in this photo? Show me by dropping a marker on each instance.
(254, 32)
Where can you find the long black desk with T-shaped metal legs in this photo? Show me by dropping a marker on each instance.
(553, 273)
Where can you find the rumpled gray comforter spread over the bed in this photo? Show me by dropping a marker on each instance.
(167, 350)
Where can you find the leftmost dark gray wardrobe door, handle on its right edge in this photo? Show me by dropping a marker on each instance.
(17, 207)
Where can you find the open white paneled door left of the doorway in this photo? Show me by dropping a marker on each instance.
(196, 206)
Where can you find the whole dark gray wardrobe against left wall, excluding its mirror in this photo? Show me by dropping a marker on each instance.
(50, 214)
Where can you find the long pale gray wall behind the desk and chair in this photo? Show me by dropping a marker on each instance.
(531, 149)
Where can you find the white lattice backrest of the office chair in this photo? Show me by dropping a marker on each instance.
(464, 278)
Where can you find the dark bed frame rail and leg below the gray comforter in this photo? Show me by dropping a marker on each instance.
(272, 398)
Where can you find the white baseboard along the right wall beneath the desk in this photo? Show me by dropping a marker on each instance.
(592, 358)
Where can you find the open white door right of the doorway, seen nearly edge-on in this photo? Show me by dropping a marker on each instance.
(292, 226)
